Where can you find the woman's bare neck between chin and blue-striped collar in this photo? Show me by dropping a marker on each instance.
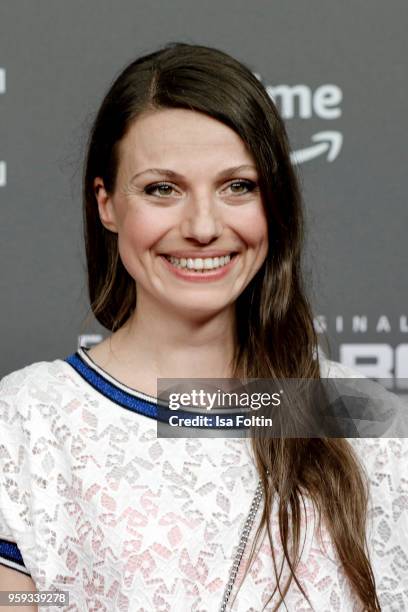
(167, 345)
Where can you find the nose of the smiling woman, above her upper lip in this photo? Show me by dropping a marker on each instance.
(202, 220)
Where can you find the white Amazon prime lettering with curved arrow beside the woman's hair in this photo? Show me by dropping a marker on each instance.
(300, 101)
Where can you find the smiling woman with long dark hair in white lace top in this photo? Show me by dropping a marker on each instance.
(193, 230)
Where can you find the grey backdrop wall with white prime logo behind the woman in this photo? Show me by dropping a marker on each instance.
(338, 74)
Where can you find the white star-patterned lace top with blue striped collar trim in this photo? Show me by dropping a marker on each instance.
(93, 503)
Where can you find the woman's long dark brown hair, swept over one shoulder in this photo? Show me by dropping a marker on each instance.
(275, 336)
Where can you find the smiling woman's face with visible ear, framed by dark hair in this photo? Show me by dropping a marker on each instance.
(191, 226)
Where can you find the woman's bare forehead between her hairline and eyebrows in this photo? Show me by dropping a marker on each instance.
(171, 137)
